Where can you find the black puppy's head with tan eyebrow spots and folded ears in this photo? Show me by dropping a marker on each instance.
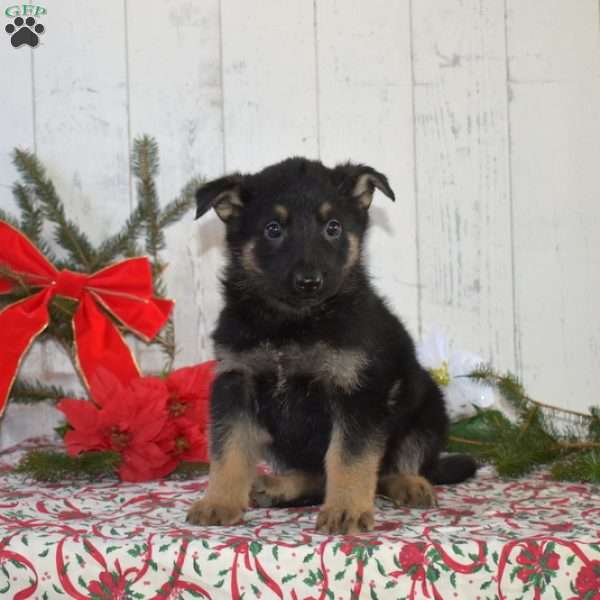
(295, 229)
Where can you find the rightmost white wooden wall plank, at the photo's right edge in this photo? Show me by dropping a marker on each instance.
(554, 74)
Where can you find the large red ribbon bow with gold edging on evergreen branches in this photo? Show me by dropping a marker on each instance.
(123, 289)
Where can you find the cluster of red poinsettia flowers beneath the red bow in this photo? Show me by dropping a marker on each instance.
(152, 423)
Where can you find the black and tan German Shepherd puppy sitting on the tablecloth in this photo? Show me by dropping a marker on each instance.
(314, 371)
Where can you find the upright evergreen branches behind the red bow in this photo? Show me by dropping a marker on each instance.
(39, 204)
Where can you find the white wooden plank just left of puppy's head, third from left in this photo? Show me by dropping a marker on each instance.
(178, 101)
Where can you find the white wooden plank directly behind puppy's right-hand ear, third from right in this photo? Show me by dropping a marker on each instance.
(365, 114)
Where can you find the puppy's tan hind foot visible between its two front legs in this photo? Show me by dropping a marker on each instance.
(286, 488)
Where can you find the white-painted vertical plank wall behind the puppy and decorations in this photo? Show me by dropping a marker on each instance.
(485, 114)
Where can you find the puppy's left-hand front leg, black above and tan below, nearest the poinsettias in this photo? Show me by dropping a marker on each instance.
(236, 446)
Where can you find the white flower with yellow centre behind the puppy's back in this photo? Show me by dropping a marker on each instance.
(451, 368)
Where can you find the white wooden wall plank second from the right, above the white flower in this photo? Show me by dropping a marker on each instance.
(463, 174)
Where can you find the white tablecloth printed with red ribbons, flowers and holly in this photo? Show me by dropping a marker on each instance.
(488, 538)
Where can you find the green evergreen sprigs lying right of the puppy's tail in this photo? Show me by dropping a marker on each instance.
(518, 447)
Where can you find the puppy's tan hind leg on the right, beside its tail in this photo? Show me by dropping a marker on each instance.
(404, 485)
